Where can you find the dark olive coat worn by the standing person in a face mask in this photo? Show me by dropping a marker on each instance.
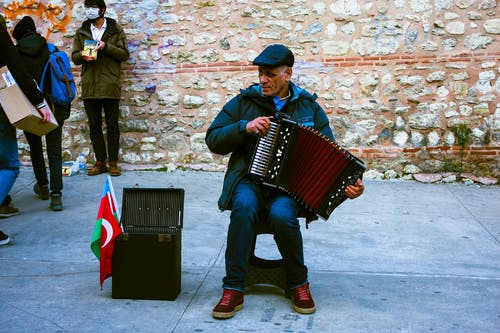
(101, 78)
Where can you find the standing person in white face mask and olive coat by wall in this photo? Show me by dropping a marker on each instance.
(101, 81)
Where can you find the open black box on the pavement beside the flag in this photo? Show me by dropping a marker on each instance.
(147, 256)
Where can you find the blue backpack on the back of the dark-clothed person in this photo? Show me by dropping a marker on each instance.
(63, 88)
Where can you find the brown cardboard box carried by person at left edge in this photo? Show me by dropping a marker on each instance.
(21, 113)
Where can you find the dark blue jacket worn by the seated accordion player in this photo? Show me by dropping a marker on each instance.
(227, 135)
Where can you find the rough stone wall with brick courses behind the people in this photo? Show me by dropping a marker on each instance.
(409, 85)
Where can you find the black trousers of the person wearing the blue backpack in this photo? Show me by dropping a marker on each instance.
(54, 152)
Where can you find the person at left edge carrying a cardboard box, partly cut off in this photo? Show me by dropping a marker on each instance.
(9, 159)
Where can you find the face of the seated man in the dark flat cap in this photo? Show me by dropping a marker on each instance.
(274, 80)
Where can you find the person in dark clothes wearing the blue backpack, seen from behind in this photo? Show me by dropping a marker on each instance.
(34, 54)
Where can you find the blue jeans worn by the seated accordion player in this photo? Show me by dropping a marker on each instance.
(250, 201)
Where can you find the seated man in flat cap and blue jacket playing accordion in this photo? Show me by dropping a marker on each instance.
(235, 131)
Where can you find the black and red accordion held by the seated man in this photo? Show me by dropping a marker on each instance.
(307, 165)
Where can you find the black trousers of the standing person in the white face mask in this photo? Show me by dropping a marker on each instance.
(94, 108)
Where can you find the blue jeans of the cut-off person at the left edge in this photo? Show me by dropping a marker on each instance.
(9, 159)
